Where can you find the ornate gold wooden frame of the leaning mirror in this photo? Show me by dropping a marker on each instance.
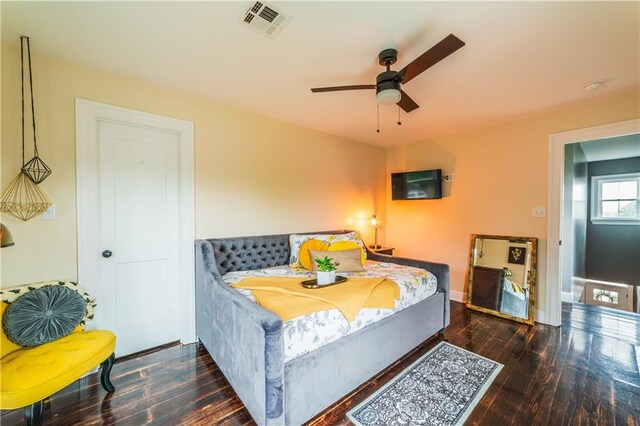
(531, 277)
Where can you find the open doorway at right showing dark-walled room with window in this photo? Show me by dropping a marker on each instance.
(601, 223)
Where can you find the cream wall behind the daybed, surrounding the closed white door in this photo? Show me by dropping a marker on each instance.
(253, 174)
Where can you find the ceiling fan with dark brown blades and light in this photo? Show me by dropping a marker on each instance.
(388, 83)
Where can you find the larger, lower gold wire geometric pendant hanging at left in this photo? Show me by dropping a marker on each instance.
(23, 199)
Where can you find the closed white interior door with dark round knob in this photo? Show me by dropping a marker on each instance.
(138, 196)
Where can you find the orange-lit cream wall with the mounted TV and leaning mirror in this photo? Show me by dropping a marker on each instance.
(500, 173)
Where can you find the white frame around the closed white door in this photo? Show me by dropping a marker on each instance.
(88, 115)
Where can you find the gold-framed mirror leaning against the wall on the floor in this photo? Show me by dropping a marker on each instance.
(502, 276)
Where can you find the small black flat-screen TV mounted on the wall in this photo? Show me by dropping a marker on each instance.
(421, 185)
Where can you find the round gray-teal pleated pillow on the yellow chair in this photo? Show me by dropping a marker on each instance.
(43, 315)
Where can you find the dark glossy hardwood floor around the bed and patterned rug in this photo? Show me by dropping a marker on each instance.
(585, 372)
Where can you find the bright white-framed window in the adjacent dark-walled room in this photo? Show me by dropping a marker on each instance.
(615, 199)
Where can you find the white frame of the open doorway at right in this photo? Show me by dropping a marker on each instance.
(557, 141)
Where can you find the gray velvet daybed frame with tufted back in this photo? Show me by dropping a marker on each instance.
(246, 340)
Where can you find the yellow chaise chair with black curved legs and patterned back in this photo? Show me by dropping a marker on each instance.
(30, 374)
